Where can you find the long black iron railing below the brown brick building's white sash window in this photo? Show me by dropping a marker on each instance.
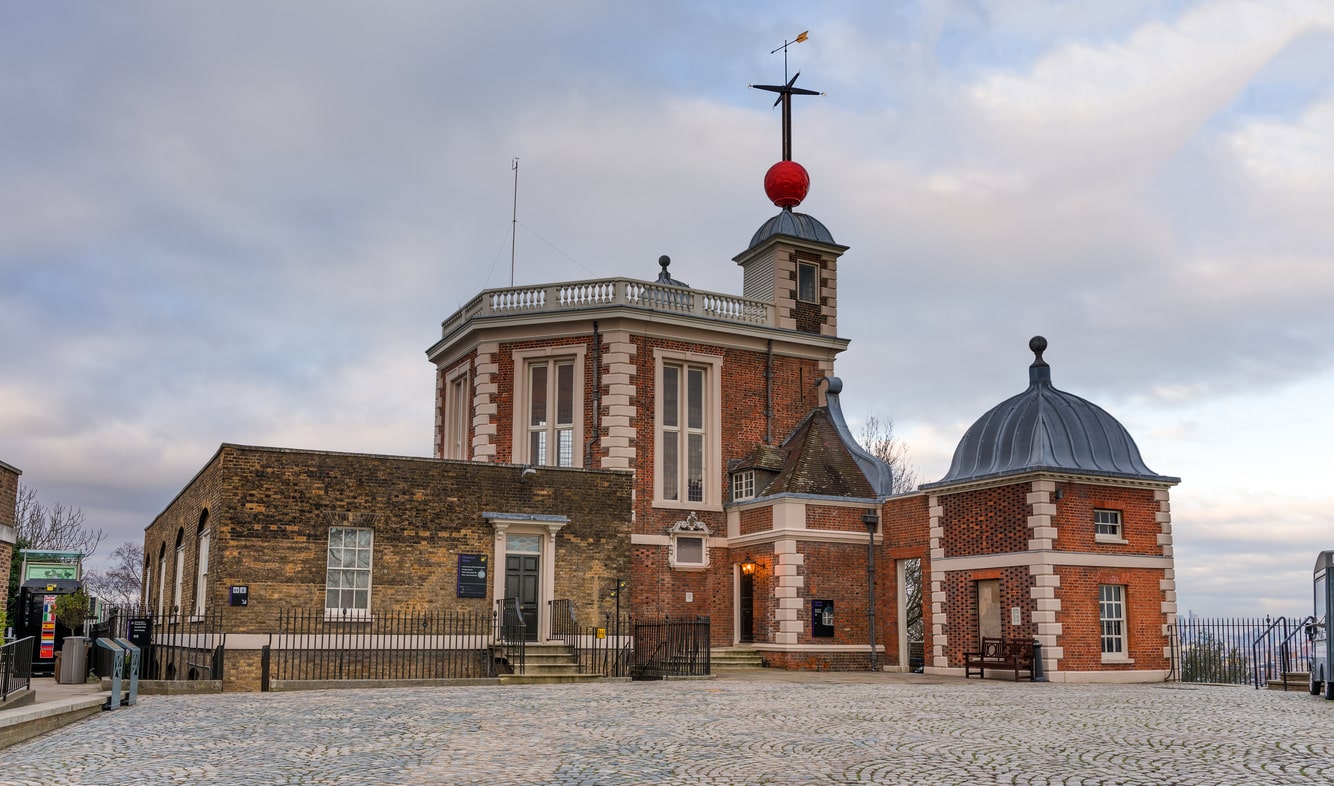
(313, 645)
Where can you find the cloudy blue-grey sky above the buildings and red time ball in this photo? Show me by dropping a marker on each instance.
(245, 222)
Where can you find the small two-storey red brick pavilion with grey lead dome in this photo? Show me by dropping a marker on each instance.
(1051, 526)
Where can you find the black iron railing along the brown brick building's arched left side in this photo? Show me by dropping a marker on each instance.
(173, 647)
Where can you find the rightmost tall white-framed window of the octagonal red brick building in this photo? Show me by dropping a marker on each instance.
(684, 433)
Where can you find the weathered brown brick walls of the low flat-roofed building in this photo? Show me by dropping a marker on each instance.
(270, 513)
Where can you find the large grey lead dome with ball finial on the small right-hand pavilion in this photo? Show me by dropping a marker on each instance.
(1045, 429)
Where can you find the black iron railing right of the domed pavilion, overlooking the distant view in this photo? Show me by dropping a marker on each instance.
(1240, 651)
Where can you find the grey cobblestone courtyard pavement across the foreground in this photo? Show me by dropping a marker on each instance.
(818, 729)
